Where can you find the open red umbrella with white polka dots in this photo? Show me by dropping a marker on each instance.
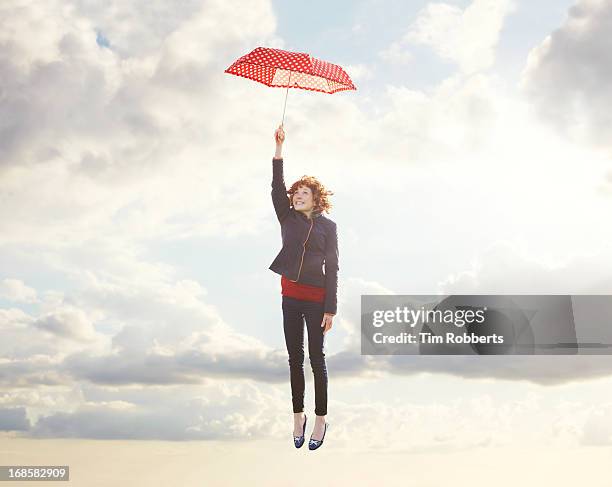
(280, 69)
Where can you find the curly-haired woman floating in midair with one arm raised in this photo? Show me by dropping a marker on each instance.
(310, 243)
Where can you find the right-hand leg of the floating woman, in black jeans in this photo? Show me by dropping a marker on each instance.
(313, 312)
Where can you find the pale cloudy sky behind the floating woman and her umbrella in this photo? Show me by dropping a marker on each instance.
(136, 229)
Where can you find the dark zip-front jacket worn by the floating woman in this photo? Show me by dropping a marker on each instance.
(309, 245)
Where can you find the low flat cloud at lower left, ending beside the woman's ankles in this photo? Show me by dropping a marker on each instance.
(218, 410)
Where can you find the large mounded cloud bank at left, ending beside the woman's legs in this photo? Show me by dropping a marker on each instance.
(142, 326)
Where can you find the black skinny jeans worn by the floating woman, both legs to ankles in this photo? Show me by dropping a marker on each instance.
(295, 311)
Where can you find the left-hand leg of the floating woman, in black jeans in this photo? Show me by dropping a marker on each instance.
(293, 324)
